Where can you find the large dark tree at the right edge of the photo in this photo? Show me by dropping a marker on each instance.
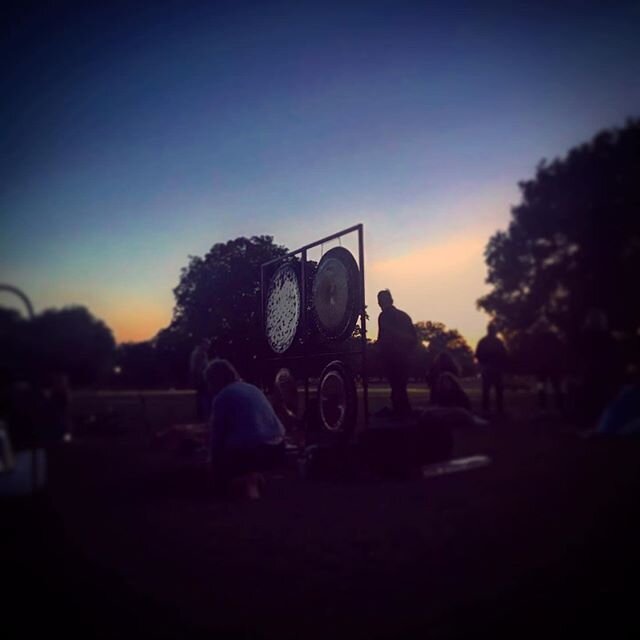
(573, 242)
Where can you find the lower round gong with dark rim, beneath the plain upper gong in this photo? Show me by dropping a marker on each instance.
(337, 399)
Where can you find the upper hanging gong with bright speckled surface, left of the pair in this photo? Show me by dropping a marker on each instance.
(282, 308)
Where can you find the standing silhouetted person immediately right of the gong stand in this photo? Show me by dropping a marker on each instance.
(397, 340)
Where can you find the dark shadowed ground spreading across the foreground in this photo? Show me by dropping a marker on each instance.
(128, 540)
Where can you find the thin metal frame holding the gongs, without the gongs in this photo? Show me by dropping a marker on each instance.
(306, 352)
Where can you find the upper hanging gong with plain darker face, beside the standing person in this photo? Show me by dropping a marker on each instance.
(336, 294)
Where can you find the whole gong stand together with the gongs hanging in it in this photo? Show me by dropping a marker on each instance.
(308, 312)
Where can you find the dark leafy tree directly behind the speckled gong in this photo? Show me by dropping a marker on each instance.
(218, 297)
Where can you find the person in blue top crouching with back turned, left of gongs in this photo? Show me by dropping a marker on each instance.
(245, 435)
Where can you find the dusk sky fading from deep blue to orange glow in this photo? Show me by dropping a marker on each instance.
(132, 138)
